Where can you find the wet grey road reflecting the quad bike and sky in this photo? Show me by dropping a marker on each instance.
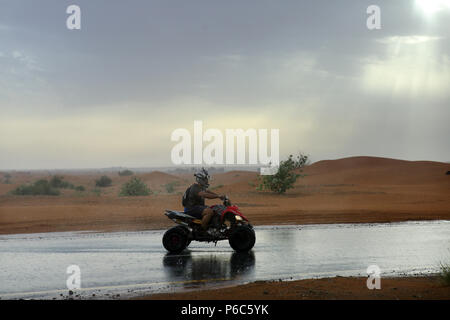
(134, 263)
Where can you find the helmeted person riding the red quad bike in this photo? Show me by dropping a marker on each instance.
(194, 198)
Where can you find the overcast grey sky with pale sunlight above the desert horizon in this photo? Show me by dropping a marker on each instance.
(111, 93)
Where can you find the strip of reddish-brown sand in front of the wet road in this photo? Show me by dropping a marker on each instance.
(340, 288)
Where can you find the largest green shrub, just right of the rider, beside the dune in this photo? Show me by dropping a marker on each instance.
(286, 175)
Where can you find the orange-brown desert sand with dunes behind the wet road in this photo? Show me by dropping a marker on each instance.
(359, 189)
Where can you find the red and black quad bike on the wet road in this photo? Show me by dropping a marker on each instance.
(227, 223)
